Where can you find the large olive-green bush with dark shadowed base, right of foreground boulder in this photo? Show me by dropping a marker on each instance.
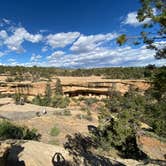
(119, 132)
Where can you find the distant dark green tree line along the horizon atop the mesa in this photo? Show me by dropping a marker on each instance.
(35, 73)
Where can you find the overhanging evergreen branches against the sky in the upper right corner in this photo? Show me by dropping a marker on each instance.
(154, 30)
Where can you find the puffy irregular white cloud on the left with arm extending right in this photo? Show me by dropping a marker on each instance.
(14, 42)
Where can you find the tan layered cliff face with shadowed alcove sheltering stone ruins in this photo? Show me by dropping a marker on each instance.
(73, 86)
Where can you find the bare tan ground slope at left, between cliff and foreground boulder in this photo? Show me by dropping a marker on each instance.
(26, 115)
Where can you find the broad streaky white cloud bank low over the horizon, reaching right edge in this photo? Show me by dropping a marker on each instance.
(102, 57)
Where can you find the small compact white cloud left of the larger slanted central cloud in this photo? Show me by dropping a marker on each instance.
(60, 40)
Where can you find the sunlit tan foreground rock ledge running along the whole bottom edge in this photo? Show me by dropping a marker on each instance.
(33, 153)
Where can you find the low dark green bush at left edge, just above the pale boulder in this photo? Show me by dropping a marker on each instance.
(12, 131)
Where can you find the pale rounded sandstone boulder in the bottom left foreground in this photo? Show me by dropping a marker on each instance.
(33, 153)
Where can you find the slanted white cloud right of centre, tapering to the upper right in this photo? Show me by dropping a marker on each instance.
(88, 43)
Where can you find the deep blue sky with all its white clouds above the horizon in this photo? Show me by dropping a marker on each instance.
(70, 33)
